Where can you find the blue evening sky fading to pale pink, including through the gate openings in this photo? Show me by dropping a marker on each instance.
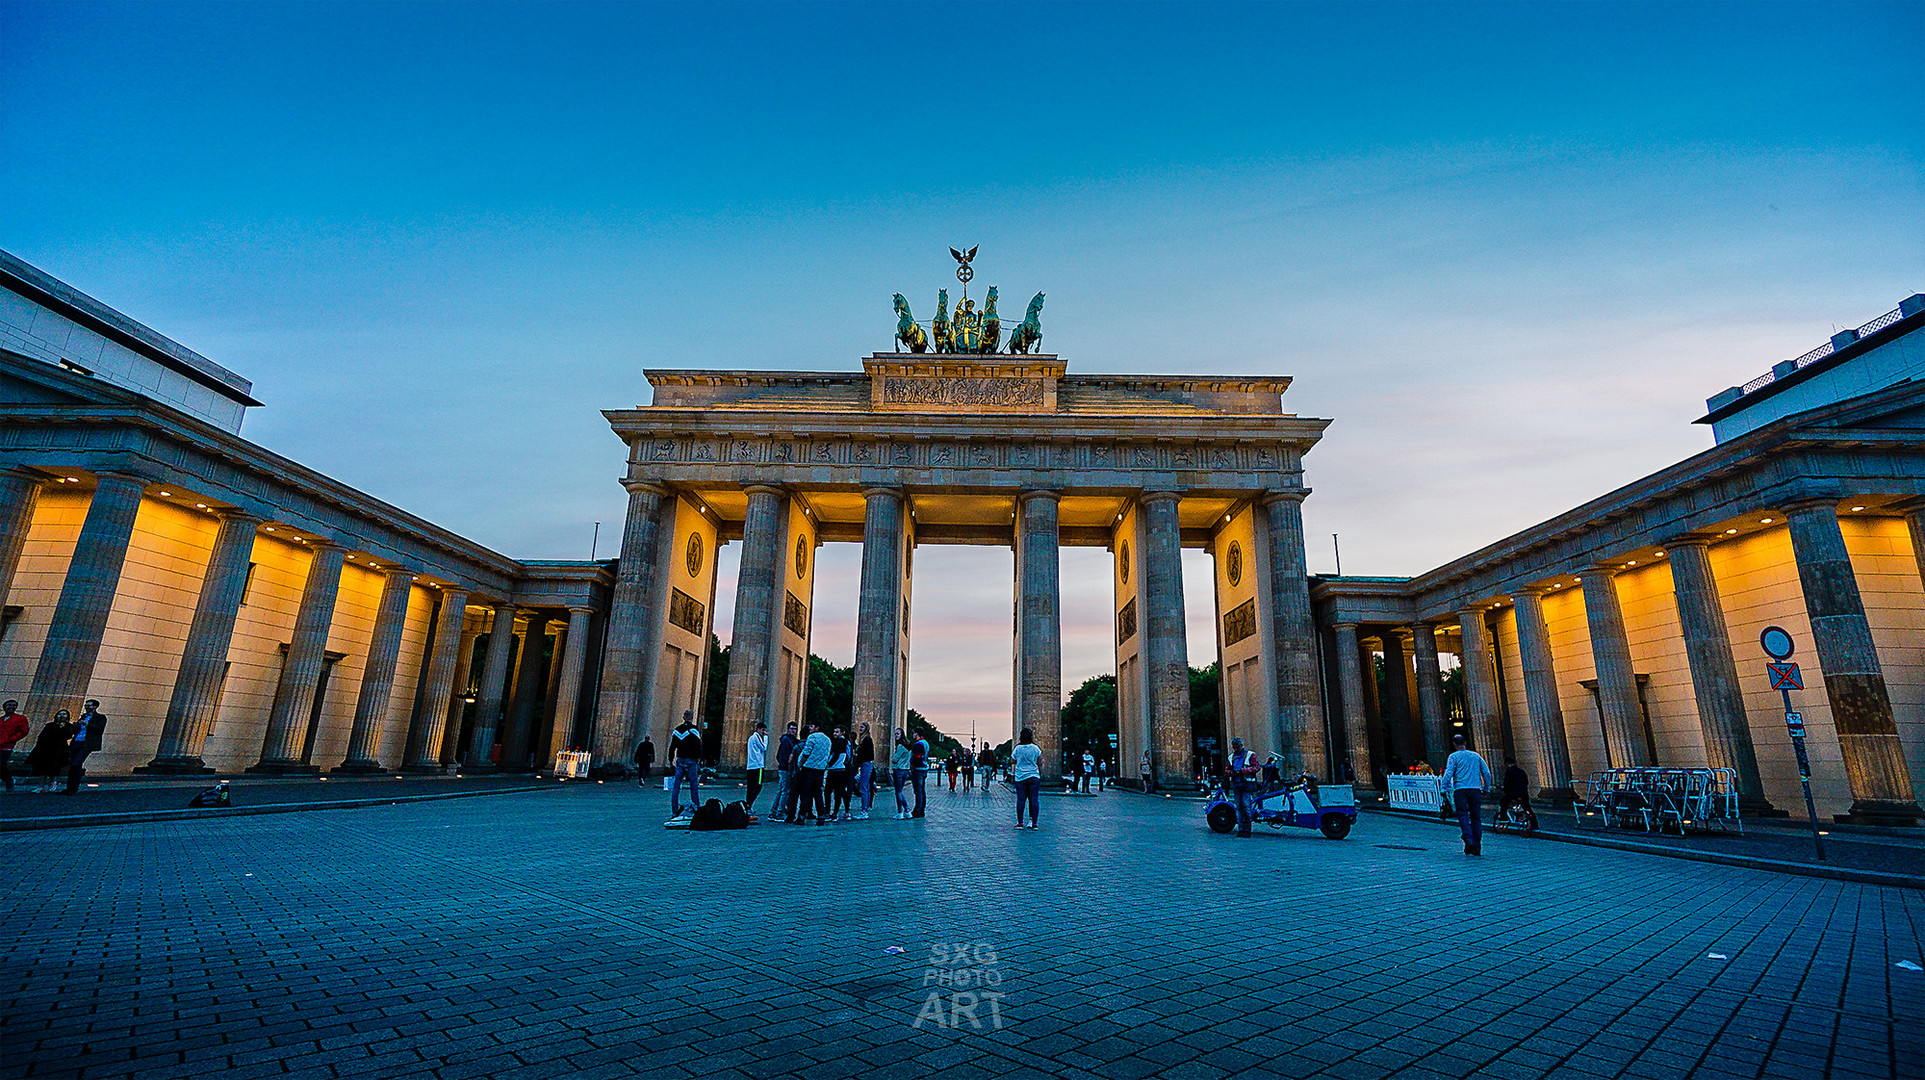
(1510, 249)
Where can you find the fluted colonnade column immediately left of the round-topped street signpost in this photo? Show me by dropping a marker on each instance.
(1714, 671)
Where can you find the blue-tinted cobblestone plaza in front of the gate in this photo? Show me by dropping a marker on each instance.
(567, 935)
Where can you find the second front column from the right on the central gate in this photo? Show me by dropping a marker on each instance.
(1166, 642)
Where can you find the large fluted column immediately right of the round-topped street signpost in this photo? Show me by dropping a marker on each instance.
(1855, 682)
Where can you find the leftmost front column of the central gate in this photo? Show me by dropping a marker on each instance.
(627, 652)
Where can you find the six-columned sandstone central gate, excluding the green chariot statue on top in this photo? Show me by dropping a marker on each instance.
(983, 450)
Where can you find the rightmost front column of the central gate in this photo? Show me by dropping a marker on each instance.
(1300, 723)
